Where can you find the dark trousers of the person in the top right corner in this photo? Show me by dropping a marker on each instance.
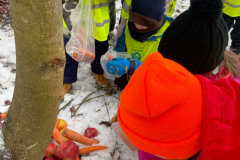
(233, 22)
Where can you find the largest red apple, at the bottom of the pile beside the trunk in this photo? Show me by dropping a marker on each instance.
(67, 150)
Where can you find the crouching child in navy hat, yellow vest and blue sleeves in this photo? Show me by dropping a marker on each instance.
(143, 31)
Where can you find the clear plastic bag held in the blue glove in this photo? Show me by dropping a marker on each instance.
(107, 57)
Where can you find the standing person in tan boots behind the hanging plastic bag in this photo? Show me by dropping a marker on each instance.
(101, 15)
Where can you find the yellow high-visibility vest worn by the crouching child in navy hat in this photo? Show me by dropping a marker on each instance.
(138, 50)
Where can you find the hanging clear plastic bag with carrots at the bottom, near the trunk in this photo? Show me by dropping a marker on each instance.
(81, 45)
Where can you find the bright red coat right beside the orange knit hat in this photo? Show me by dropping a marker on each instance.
(221, 119)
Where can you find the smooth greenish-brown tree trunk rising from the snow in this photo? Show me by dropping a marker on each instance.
(40, 62)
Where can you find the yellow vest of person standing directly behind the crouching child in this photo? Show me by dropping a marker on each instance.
(126, 8)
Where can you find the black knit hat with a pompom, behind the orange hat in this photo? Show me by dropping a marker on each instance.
(197, 38)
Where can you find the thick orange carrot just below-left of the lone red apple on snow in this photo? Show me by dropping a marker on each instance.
(72, 135)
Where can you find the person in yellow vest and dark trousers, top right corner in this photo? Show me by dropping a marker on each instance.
(231, 15)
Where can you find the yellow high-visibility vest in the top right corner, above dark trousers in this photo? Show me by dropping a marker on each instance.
(232, 8)
